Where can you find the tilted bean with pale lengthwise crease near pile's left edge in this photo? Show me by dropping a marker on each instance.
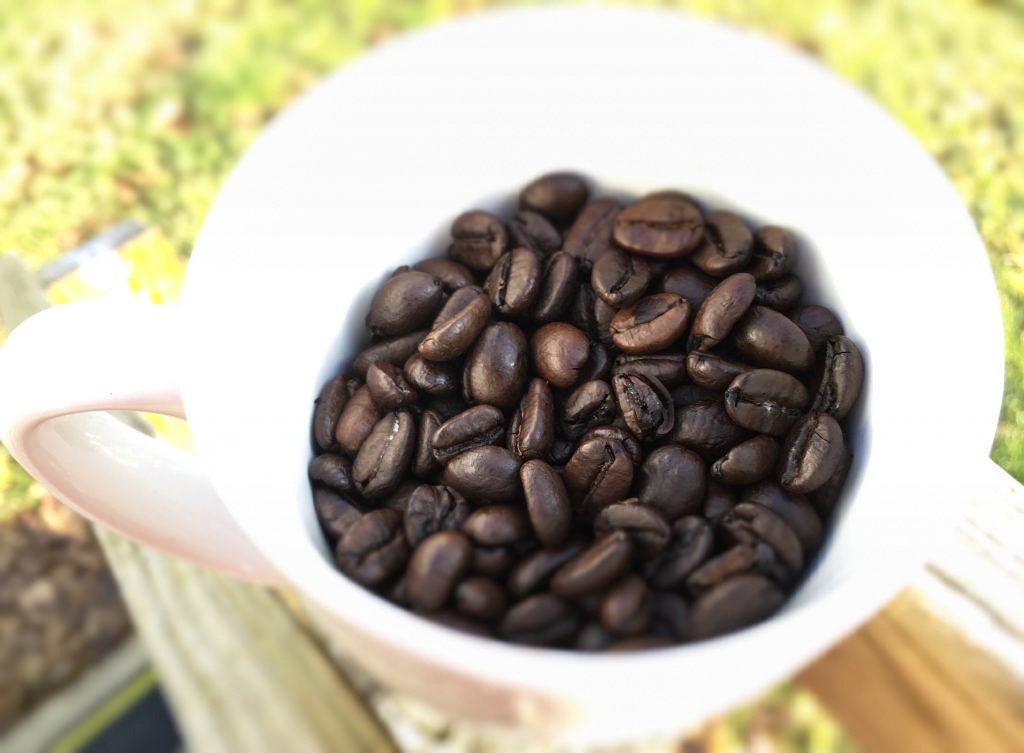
(386, 456)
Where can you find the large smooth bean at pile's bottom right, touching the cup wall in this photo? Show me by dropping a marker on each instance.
(735, 604)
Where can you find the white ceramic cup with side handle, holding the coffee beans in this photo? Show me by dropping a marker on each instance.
(365, 174)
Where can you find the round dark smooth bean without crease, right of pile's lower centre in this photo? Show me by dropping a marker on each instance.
(673, 480)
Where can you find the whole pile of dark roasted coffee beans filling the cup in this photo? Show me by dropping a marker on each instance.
(591, 426)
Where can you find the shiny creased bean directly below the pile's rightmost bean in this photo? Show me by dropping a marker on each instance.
(812, 453)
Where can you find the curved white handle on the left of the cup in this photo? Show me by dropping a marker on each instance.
(60, 370)
